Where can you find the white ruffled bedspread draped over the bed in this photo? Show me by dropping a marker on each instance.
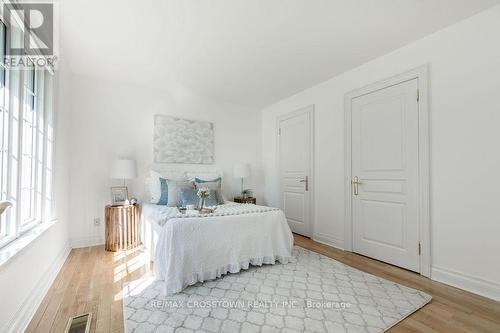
(196, 249)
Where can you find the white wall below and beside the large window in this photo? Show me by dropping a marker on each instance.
(28, 275)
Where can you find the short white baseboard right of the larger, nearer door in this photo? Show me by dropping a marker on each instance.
(473, 284)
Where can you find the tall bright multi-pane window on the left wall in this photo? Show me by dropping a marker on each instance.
(27, 141)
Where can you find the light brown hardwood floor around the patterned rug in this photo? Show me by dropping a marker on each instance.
(91, 280)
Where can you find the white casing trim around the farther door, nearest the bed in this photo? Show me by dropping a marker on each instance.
(304, 110)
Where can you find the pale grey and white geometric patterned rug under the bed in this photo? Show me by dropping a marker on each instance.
(313, 293)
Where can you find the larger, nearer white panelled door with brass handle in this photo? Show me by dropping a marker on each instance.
(385, 162)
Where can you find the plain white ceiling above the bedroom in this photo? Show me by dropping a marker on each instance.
(251, 52)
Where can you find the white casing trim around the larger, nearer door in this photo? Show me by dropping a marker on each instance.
(422, 75)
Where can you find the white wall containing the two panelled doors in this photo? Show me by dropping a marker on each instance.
(465, 118)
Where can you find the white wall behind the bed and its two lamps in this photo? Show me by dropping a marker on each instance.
(115, 119)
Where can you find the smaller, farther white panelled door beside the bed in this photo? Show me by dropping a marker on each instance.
(295, 176)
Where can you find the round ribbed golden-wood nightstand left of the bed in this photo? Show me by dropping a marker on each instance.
(122, 227)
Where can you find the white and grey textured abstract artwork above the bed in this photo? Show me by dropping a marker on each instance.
(178, 140)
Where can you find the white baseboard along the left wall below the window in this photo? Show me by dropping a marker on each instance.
(23, 316)
